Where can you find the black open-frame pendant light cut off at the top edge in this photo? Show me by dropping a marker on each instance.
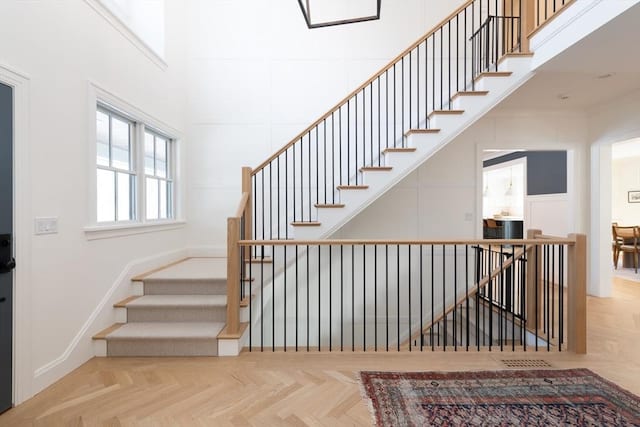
(327, 13)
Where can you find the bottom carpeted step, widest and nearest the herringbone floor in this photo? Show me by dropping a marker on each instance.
(165, 339)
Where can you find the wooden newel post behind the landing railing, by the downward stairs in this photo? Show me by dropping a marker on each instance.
(534, 286)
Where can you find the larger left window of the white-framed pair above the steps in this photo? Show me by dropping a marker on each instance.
(116, 174)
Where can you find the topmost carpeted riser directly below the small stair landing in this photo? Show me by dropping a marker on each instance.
(175, 286)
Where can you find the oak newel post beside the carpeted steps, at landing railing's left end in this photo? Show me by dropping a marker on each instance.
(233, 276)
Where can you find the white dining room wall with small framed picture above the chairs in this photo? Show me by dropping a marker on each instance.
(625, 177)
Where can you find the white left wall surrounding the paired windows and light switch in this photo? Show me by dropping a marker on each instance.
(59, 47)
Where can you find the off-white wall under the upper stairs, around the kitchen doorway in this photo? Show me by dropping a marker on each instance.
(440, 200)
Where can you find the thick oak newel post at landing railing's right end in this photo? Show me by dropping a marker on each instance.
(577, 294)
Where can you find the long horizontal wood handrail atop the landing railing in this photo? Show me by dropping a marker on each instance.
(390, 242)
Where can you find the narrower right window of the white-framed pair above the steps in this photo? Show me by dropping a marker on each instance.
(157, 170)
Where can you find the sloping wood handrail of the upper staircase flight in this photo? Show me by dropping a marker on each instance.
(364, 85)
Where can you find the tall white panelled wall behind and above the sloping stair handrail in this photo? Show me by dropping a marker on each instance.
(258, 76)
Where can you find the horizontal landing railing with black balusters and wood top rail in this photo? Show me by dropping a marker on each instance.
(377, 295)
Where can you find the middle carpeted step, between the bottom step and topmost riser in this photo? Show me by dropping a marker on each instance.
(177, 308)
